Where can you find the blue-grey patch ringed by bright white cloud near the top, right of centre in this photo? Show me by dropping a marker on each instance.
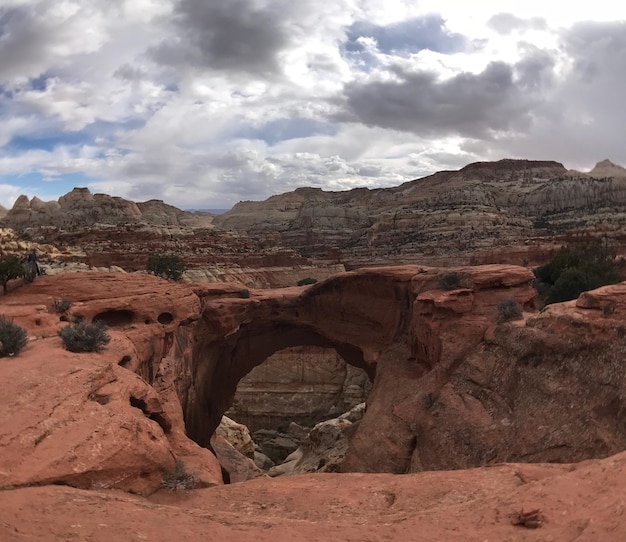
(406, 37)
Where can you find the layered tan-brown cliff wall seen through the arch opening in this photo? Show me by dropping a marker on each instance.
(288, 394)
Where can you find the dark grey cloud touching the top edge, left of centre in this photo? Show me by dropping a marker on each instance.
(238, 35)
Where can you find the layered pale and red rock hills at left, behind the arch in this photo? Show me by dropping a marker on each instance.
(83, 231)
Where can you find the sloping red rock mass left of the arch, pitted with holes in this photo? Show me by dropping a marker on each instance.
(108, 420)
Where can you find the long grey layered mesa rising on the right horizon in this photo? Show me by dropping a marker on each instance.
(487, 212)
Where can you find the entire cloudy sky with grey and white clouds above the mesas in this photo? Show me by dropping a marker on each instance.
(203, 103)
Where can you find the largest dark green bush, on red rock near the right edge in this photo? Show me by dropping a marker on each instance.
(576, 269)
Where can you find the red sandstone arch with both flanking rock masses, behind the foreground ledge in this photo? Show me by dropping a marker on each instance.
(451, 387)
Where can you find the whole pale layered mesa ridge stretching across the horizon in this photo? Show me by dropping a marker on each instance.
(465, 215)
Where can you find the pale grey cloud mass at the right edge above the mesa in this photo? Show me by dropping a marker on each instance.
(582, 119)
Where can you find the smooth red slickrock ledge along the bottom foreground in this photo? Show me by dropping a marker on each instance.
(560, 503)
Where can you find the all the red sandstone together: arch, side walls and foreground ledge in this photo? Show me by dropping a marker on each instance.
(453, 388)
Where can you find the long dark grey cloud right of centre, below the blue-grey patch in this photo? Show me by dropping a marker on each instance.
(470, 105)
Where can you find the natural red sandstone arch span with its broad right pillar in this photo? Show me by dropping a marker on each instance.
(396, 323)
